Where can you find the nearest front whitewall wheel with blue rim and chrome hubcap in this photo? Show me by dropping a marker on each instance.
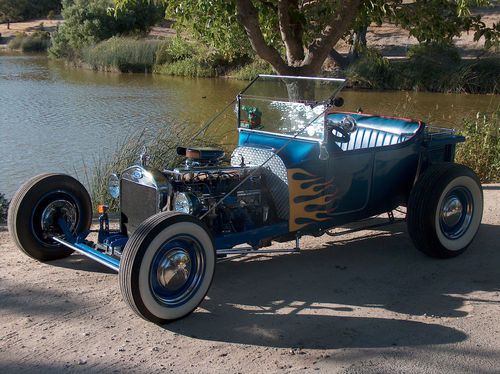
(167, 267)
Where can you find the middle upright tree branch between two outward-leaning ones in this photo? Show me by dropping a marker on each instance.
(291, 31)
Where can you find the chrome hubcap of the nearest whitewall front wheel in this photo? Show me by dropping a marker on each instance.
(174, 269)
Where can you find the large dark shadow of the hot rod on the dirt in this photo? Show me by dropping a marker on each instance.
(376, 290)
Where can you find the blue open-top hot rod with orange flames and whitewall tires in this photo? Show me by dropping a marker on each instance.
(300, 168)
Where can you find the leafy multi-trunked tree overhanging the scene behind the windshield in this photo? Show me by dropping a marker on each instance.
(296, 36)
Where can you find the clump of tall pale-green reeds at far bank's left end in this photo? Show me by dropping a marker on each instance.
(126, 55)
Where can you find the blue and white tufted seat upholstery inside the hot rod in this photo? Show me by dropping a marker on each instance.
(375, 131)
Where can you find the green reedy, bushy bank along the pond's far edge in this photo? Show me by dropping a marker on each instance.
(427, 68)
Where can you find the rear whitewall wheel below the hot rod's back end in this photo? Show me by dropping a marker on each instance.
(445, 210)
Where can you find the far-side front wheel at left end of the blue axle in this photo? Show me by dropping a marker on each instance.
(36, 208)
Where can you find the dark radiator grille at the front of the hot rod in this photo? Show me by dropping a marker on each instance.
(137, 203)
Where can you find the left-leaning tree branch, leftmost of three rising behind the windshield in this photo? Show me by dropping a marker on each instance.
(248, 16)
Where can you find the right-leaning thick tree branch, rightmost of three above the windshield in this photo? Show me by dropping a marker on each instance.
(320, 47)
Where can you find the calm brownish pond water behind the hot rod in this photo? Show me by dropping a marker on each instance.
(55, 118)
